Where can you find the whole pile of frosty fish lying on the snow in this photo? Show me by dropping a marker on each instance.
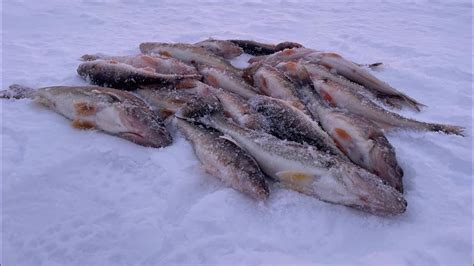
(298, 118)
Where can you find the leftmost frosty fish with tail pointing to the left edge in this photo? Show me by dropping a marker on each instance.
(115, 112)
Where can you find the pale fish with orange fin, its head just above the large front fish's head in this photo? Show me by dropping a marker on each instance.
(360, 139)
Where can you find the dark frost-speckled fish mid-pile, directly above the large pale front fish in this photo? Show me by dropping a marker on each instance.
(290, 123)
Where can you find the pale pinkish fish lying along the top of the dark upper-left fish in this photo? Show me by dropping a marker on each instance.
(158, 64)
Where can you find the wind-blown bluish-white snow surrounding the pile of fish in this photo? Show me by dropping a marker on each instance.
(75, 197)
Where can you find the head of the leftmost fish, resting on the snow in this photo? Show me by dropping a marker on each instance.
(142, 126)
